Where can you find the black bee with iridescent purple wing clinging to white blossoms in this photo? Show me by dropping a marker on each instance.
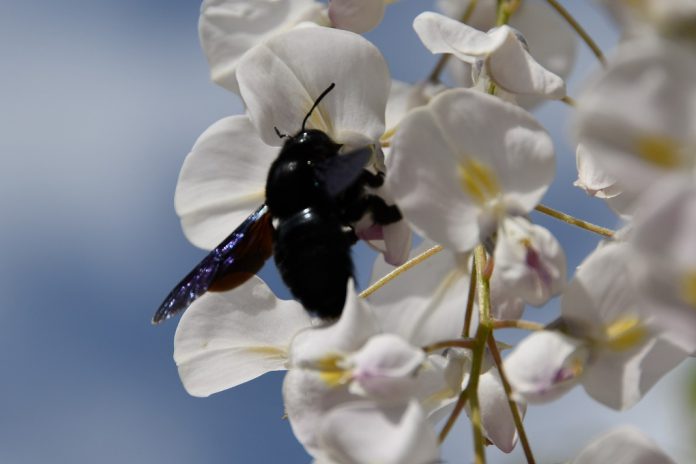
(313, 194)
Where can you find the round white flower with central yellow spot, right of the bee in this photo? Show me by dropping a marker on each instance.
(464, 162)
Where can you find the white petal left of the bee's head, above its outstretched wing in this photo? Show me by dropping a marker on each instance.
(222, 181)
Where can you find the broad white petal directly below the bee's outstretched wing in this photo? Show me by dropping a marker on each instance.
(225, 339)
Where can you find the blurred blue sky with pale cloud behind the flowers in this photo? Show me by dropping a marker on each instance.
(100, 101)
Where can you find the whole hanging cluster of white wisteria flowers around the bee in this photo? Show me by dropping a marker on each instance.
(465, 164)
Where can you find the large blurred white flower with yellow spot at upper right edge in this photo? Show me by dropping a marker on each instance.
(637, 118)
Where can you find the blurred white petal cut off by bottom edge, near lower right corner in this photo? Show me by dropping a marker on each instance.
(624, 445)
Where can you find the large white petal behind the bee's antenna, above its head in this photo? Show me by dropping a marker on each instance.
(280, 80)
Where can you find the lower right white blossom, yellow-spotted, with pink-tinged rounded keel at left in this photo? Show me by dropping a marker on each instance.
(613, 344)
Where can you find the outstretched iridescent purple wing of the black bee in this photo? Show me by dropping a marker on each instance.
(230, 264)
